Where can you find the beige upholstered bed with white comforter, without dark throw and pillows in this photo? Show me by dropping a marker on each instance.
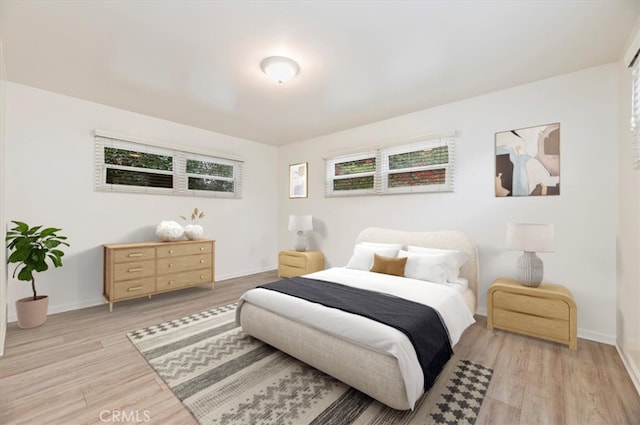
(378, 362)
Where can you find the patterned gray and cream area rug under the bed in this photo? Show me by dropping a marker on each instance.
(224, 376)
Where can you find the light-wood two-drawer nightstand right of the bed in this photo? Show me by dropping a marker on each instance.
(548, 311)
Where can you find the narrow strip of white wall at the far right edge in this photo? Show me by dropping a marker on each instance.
(628, 267)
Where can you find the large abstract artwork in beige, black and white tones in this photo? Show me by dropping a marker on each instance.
(528, 161)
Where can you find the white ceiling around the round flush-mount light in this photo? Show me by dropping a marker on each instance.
(197, 62)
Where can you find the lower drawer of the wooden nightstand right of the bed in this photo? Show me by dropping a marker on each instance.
(556, 330)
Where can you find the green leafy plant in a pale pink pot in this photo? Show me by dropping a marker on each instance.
(30, 248)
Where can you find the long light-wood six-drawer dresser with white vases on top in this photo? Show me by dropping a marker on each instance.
(133, 270)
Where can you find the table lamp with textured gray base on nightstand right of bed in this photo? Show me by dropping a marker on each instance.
(530, 238)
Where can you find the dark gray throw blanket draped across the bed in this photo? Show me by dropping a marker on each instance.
(420, 323)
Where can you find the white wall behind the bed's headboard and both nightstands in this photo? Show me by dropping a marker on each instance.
(584, 215)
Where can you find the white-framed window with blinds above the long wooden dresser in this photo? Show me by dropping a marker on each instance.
(130, 166)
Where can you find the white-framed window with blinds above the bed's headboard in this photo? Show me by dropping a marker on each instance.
(425, 166)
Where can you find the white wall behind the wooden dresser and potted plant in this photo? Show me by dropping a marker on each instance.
(49, 180)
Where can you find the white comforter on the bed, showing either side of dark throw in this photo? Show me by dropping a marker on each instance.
(447, 301)
